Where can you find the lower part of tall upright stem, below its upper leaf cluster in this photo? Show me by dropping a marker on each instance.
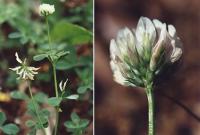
(56, 91)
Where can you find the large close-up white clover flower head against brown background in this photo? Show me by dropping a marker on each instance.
(138, 55)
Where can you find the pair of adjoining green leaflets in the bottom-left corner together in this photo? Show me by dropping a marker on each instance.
(10, 129)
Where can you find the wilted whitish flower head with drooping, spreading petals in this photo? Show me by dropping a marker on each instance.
(25, 72)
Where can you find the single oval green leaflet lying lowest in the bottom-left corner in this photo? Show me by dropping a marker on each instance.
(10, 129)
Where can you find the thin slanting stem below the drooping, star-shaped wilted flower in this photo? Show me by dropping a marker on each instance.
(33, 101)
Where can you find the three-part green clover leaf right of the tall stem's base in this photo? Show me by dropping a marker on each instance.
(76, 125)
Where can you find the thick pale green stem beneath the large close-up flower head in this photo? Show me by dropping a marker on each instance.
(151, 120)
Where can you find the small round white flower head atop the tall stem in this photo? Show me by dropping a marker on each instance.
(46, 9)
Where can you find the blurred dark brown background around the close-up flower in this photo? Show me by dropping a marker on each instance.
(123, 111)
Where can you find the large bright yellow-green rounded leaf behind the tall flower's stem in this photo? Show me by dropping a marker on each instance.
(73, 34)
